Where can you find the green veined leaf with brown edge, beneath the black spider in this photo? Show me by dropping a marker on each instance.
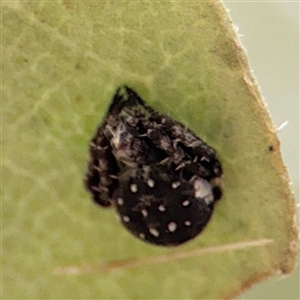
(62, 62)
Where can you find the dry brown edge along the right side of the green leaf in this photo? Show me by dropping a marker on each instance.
(289, 260)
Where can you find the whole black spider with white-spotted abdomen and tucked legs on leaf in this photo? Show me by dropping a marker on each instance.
(160, 177)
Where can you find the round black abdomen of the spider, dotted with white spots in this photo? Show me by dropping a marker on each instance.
(162, 212)
